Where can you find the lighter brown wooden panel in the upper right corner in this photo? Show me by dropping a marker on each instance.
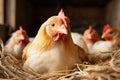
(113, 13)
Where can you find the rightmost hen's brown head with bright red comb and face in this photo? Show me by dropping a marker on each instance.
(108, 32)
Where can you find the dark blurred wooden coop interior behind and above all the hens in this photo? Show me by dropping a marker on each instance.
(32, 13)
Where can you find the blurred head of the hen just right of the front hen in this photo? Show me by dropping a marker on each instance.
(90, 35)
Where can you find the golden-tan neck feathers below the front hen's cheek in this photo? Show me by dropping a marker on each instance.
(42, 41)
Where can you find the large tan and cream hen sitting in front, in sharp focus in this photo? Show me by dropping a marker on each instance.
(53, 48)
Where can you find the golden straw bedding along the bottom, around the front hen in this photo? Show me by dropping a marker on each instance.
(101, 66)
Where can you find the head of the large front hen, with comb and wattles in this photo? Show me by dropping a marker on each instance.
(56, 27)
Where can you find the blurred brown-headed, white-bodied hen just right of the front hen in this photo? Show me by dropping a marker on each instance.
(94, 43)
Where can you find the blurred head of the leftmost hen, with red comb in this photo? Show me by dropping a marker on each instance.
(20, 36)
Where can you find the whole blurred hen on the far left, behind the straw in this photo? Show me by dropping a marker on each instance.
(17, 42)
